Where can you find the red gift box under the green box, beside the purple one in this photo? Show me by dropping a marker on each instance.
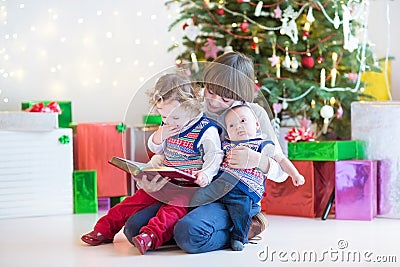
(308, 200)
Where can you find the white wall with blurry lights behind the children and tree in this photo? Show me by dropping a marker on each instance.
(99, 53)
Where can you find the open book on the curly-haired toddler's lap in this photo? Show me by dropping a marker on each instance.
(138, 169)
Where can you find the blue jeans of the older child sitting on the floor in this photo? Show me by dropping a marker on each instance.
(206, 228)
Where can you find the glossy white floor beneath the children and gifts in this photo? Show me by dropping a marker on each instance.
(55, 241)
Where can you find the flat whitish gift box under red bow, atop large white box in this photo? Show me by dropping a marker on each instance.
(28, 121)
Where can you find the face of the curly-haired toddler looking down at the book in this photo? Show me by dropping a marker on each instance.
(173, 114)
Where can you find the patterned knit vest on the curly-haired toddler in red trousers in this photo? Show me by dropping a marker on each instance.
(182, 151)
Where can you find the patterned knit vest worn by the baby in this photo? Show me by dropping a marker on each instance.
(250, 181)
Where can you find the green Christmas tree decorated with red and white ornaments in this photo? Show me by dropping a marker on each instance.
(309, 55)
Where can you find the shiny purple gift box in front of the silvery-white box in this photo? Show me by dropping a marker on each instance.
(356, 189)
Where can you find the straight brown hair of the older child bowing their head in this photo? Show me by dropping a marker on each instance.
(231, 75)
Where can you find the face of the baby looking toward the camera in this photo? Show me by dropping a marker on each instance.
(241, 124)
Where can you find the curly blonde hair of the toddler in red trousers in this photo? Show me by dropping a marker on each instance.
(177, 87)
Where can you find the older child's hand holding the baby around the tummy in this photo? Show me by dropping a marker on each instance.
(243, 158)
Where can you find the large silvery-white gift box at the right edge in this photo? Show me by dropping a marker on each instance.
(376, 123)
